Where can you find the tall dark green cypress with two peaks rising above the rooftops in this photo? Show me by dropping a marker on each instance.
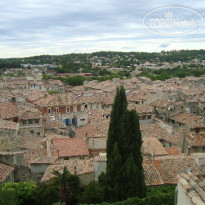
(124, 172)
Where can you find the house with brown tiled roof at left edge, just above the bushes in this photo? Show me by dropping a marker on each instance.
(6, 173)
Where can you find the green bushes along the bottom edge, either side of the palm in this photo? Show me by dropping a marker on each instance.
(48, 194)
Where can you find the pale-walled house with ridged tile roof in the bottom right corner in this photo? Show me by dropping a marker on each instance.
(190, 189)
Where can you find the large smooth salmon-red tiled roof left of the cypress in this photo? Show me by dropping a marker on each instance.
(70, 147)
